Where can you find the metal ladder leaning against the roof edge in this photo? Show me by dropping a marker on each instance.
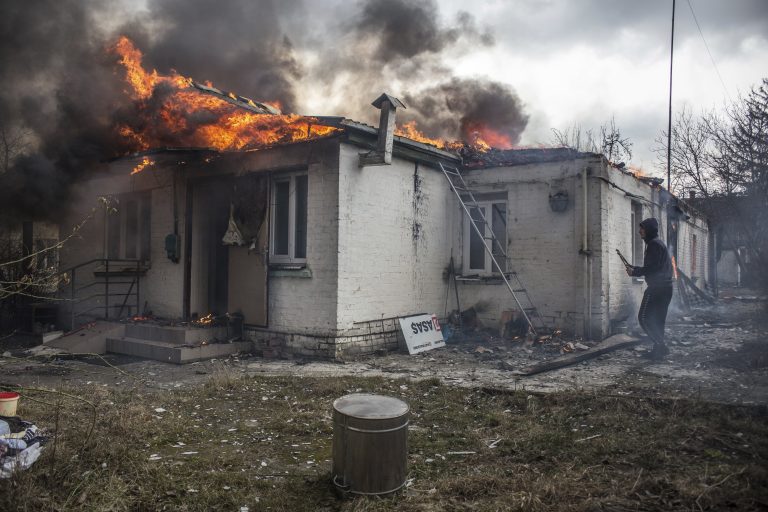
(518, 291)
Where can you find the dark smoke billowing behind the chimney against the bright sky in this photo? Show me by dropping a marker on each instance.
(401, 47)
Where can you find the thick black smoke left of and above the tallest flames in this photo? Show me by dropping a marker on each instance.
(62, 90)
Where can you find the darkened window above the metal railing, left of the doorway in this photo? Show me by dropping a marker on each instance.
(129, 227)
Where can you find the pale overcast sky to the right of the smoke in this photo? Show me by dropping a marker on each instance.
(583, 61)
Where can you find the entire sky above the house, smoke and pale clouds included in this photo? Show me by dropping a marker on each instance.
(523, 67)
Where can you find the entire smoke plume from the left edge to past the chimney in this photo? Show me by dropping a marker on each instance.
(62, 93)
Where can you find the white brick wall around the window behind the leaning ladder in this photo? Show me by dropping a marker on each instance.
(542, 245)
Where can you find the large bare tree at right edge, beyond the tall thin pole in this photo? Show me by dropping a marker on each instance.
(725, 159)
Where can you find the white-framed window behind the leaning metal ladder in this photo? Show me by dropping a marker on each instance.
(476, 258)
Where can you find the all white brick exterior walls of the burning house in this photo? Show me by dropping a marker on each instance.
(381, 237)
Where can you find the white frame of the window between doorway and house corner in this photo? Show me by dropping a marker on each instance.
(290, 258)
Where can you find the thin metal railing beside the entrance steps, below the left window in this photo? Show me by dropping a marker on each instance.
(123, 272)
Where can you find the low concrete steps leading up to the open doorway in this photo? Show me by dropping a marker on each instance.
(179, 345)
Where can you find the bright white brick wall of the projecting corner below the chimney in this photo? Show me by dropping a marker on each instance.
(378, 244)
